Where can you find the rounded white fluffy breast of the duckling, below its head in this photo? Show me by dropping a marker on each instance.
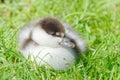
(58, 58)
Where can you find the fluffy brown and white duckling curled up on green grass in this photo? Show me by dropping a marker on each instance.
(51, 42)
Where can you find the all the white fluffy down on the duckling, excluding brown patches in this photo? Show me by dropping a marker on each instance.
(45, 49)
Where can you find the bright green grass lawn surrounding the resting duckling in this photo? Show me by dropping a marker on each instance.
(97, 21)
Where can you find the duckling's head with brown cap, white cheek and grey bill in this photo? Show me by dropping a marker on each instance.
(50, 32)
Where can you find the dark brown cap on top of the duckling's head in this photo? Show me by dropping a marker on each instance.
(52, 26)
